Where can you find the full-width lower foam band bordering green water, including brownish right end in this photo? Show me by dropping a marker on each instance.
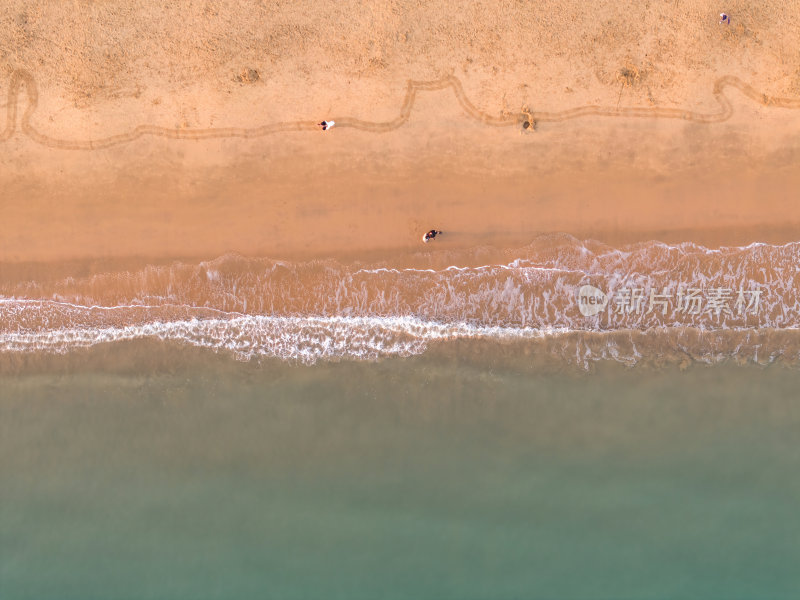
(309, 339)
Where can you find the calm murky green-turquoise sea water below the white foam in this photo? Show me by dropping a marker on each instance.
(438, 476)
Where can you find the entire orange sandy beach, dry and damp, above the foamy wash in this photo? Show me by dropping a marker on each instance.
(664, 154)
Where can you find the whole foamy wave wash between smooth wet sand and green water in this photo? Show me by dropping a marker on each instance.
(652, 300)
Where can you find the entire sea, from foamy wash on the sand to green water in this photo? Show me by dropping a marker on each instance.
(450, 425)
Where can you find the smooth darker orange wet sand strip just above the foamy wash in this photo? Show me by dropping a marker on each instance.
(364, 218)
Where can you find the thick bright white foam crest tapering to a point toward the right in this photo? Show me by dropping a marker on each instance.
(306, 339)
